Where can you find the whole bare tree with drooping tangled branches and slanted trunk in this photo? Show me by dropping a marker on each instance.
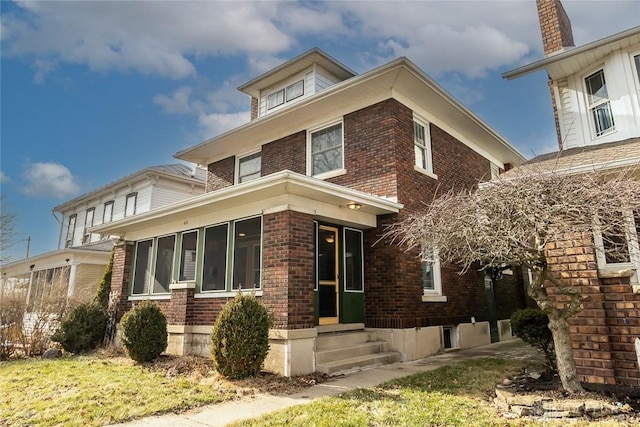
(519, 221)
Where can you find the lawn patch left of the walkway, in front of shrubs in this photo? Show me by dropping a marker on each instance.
(93, 391)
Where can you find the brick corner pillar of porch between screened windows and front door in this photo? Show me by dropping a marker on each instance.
(288, 269)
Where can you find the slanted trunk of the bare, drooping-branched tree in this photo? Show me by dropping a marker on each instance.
(564, 353)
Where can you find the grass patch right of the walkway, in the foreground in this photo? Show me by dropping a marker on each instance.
(454, 395)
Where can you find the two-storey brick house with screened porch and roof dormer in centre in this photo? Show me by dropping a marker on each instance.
(297, 201)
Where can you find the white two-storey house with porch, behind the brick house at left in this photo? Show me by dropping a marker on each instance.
(76, 267)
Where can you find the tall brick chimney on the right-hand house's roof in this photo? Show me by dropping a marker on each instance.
(555, 26)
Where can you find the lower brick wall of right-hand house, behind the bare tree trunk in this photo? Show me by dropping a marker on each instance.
(603, 333)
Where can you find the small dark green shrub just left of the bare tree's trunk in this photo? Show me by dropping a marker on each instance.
(531, 325)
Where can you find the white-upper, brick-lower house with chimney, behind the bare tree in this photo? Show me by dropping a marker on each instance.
(595, 92)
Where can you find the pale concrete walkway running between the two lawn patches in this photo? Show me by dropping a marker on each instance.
(254, 406)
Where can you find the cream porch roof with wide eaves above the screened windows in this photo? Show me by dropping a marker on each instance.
(277, 192)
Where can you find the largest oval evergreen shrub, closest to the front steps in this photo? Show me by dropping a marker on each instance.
(240, 337)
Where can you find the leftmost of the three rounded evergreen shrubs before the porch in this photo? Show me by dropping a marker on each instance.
(82, 329)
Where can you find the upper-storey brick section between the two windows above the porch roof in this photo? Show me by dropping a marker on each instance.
(285, 153)
